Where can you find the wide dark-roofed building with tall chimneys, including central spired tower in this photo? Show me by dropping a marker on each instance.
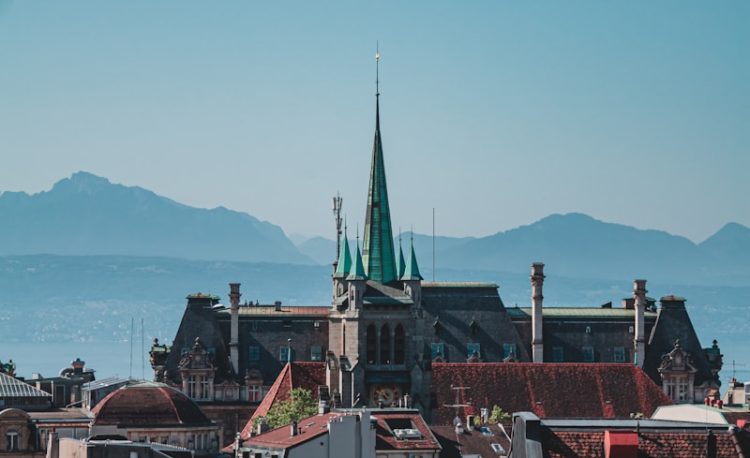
(386, 326)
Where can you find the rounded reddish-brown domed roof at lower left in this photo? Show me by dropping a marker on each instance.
(148, 404)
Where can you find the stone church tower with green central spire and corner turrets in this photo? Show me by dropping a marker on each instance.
(375, 323)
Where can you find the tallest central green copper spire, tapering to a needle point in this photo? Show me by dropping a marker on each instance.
(377, 252)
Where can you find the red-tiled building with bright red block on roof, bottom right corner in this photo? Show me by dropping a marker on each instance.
(589, 438)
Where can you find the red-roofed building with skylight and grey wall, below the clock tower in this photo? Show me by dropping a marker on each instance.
(359, 433)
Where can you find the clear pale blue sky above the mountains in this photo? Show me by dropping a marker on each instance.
(496, 114)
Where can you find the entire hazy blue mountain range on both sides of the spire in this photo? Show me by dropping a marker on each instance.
(88, 215)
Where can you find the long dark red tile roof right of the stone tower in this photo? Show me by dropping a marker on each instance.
(548, 389)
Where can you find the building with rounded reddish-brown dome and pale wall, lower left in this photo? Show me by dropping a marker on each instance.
(156, 413)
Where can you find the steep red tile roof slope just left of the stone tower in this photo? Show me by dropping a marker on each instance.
(303, 374)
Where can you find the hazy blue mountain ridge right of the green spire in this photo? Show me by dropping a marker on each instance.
(577, 245)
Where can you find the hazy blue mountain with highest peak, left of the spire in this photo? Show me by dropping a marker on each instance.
(87, 215)
